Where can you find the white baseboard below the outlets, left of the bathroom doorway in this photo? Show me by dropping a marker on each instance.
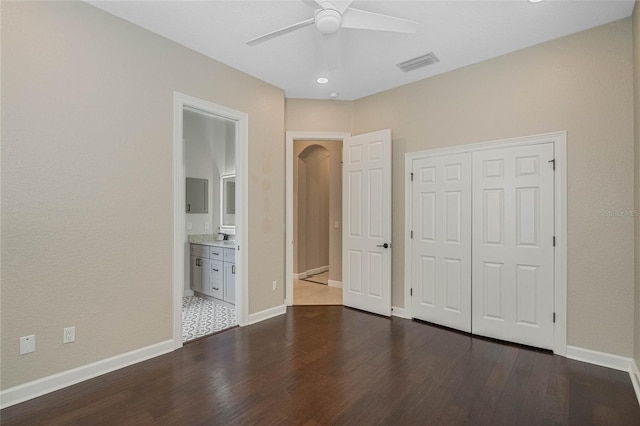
(36, 388)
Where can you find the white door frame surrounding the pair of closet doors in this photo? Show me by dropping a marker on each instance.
(559, 140)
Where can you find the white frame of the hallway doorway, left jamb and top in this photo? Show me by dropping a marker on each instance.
(290, 138)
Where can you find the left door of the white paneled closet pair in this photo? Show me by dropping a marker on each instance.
(441, 244)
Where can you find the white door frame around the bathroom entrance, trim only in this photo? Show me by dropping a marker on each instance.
(241, 119)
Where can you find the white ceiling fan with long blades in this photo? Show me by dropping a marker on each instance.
(330, 16)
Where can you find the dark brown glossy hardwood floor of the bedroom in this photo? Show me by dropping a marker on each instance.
(334, 365)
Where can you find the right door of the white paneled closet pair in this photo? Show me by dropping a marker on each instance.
(513, 253)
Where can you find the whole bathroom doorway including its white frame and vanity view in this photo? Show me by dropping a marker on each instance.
(210, 225)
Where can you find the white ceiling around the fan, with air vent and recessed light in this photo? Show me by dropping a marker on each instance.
(460, 33)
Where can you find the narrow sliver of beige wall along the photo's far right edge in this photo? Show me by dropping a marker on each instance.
(636, 97)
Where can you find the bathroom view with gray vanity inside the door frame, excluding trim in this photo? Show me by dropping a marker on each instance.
(208, 305)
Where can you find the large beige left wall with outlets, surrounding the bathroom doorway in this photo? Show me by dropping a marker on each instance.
(87, 182)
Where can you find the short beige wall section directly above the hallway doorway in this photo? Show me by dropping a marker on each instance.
(313, 115)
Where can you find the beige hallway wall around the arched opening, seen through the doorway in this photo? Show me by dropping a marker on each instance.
(300, 264)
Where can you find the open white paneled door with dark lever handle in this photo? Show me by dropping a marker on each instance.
(366, 206)
